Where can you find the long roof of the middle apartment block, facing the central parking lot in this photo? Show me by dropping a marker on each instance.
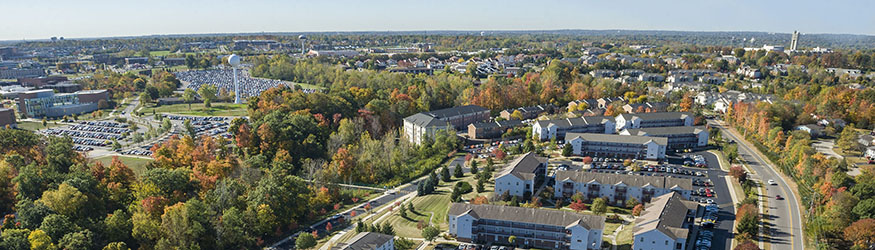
(629, 180)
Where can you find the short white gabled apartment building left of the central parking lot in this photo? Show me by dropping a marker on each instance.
(518, 177)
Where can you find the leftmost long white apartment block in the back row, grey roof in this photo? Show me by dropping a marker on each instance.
(550, 129)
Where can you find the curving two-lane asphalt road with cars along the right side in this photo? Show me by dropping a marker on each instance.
(784, 219)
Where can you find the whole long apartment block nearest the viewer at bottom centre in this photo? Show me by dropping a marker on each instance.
(532, 227)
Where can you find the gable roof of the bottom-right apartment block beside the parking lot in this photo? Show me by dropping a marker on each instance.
(667, 214)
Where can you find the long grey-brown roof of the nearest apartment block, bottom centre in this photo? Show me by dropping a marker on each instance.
(529, 215)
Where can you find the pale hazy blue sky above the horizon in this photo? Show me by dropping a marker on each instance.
(41, 19)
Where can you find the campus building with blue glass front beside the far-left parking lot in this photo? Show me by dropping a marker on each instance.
(45, 103)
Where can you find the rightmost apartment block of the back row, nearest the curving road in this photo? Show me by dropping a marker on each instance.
(681, 137)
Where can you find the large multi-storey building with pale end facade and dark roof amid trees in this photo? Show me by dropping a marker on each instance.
(426, 124)
